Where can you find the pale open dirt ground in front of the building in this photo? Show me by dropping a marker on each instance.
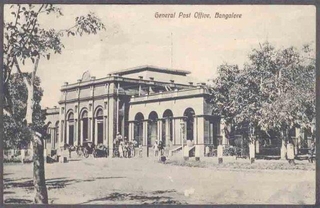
(145, 181)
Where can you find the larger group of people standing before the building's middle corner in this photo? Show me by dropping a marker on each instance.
(122, 147)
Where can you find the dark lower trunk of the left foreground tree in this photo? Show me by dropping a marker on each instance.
(39, 181)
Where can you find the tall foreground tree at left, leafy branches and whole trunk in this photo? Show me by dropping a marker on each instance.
(25, 39)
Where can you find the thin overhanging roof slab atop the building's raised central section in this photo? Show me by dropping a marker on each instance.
(150, 68)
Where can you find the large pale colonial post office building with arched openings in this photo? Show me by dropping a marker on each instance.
(144, 104)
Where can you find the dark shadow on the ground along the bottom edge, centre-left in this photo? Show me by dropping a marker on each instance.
(143, 198)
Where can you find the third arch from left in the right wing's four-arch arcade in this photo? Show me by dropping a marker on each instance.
(167, 130)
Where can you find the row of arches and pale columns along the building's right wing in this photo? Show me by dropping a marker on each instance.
(174, 130)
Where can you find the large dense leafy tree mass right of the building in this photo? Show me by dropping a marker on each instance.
(275, 90)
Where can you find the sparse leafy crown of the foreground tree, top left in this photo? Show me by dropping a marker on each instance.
(25, 39)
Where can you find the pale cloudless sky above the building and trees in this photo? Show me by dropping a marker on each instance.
(135, 37)
